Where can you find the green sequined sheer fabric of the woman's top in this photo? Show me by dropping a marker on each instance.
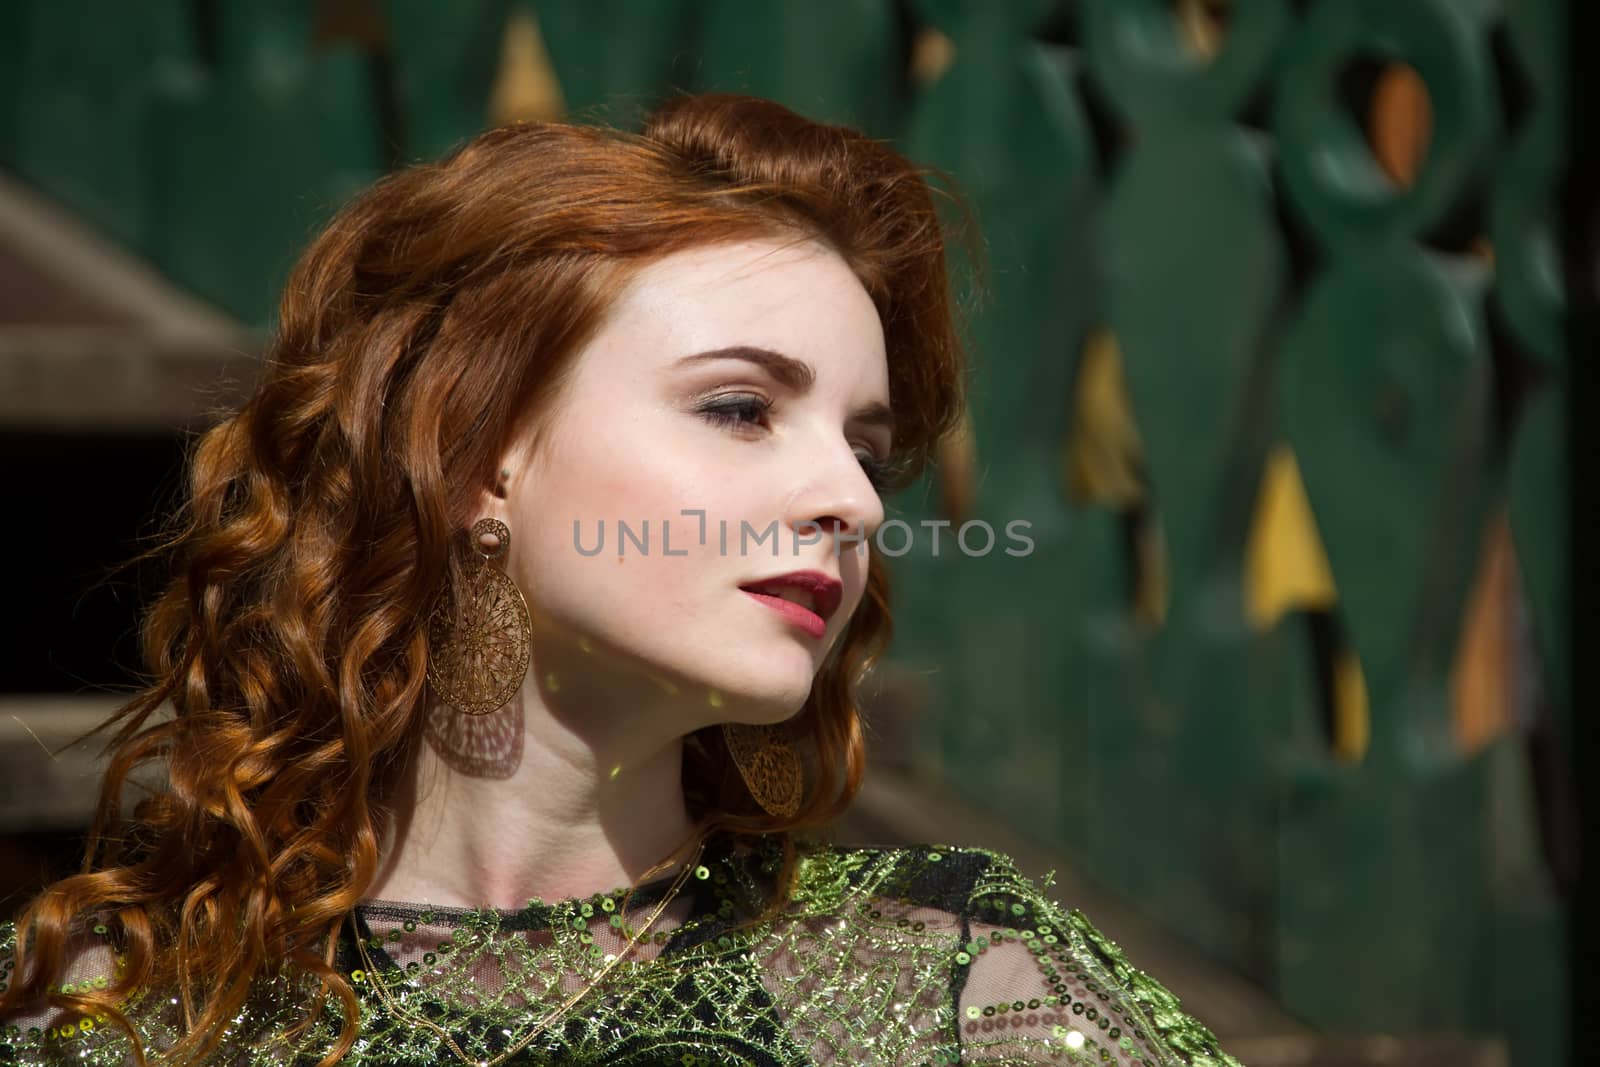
(882, 956)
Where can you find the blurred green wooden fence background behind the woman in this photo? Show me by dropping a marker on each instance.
(1270, 351)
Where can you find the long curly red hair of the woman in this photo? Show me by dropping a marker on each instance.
(431, 322)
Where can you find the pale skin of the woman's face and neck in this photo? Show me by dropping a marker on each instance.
(634, 652)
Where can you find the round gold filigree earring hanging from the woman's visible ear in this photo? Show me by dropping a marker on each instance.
(481, 636)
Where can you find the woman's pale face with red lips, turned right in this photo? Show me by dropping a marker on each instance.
(716, 436)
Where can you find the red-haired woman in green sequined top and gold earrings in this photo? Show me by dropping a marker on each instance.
(540, 564)
